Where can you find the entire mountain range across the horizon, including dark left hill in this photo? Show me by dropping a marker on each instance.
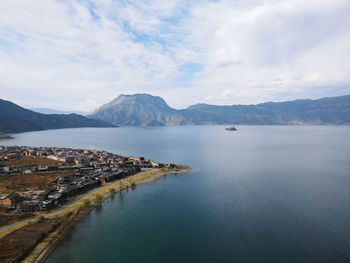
(148, 110)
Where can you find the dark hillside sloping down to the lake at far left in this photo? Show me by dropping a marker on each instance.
(14, 118)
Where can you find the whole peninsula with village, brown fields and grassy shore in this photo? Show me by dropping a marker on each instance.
(45, 190)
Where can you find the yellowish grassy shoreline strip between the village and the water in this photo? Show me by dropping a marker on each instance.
(74, 211)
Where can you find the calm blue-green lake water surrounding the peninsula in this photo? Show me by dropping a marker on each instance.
(261, 194)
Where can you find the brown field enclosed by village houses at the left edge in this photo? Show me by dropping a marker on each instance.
(28, 182)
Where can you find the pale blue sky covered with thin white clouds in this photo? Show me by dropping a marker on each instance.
(80, 54)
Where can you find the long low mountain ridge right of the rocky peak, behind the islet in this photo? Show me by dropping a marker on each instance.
(335, 110)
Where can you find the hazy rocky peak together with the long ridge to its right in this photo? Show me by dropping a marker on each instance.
(144, 109)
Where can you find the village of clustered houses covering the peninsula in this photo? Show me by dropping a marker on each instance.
(73, 172)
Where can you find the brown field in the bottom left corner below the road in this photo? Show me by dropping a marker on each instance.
(18, 244)
